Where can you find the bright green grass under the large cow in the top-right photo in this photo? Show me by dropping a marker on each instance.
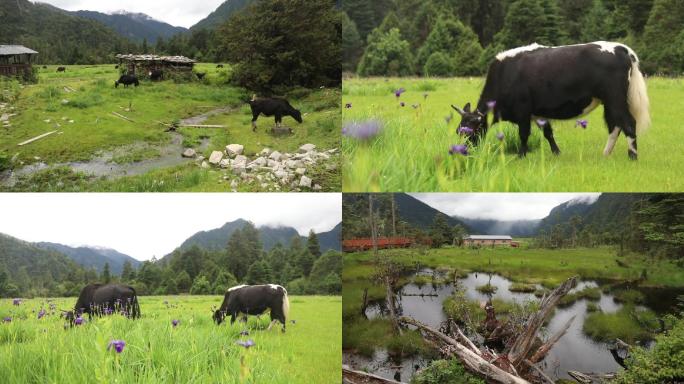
(412, 151)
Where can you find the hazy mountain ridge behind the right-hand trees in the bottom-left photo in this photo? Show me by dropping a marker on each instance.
(216, 239)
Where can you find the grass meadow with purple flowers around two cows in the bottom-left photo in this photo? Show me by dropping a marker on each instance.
(36, 350)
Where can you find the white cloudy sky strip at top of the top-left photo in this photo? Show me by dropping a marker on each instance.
(181, 13)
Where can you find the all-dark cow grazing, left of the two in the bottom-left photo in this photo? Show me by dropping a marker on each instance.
(104, 299)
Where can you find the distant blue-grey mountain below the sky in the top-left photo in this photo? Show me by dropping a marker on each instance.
(133, 26)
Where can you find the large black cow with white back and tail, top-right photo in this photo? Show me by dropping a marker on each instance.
(538, 82)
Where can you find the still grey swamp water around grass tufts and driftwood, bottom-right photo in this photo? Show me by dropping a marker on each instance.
(574, 351)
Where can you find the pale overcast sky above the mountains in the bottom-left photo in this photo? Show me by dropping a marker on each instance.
(146, 225)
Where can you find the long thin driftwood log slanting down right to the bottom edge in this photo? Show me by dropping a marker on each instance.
(471, 359)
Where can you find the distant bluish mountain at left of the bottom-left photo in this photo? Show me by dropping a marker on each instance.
(90, 257)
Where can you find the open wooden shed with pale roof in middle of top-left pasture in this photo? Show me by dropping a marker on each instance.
(141, 65)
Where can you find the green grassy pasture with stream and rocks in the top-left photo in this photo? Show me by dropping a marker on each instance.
(78, 104)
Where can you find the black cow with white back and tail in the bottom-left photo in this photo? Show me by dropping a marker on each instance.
(254, 300)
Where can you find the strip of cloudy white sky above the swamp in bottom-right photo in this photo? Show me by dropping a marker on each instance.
(501, 206)
